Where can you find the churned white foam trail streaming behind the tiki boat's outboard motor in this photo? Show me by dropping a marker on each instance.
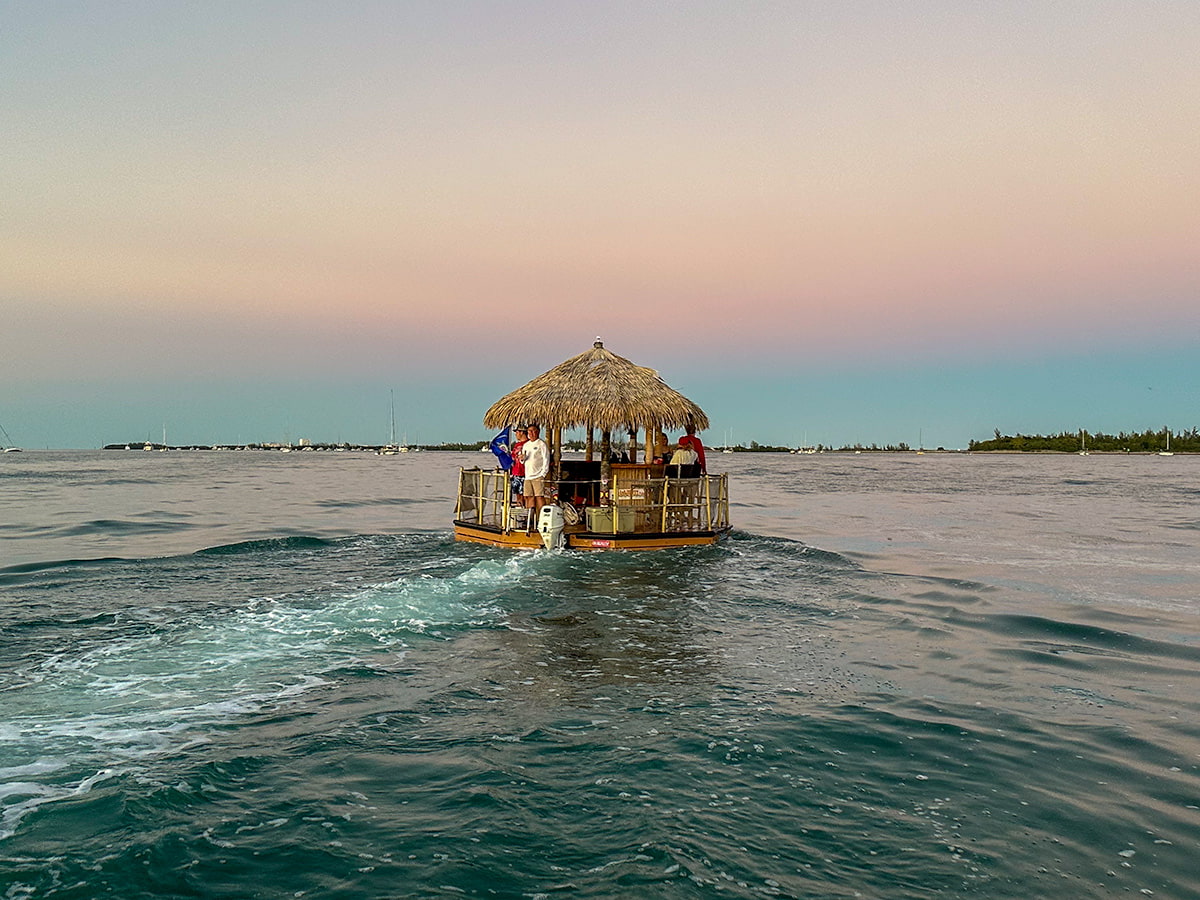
(79, 717)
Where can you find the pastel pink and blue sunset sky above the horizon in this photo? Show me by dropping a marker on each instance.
(830, 221)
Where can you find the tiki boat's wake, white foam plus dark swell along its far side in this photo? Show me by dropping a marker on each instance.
(98, 698)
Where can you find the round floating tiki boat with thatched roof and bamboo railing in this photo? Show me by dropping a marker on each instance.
(595, 503)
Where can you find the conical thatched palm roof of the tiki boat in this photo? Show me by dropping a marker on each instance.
(597, 389)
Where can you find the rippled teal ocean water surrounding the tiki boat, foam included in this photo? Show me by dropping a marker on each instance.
(253, 675)
